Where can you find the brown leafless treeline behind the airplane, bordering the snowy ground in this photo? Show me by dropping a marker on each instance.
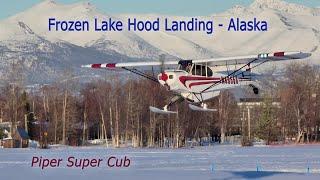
(118, 110)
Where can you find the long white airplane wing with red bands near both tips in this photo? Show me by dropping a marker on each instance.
(222, 61)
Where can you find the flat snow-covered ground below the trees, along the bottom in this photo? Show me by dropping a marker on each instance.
(218, 162)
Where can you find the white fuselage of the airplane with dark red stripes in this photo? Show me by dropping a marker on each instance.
(191, 86)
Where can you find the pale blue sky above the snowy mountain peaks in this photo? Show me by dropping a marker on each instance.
(172, 7)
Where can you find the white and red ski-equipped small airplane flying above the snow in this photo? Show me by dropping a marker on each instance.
(197, 81)
